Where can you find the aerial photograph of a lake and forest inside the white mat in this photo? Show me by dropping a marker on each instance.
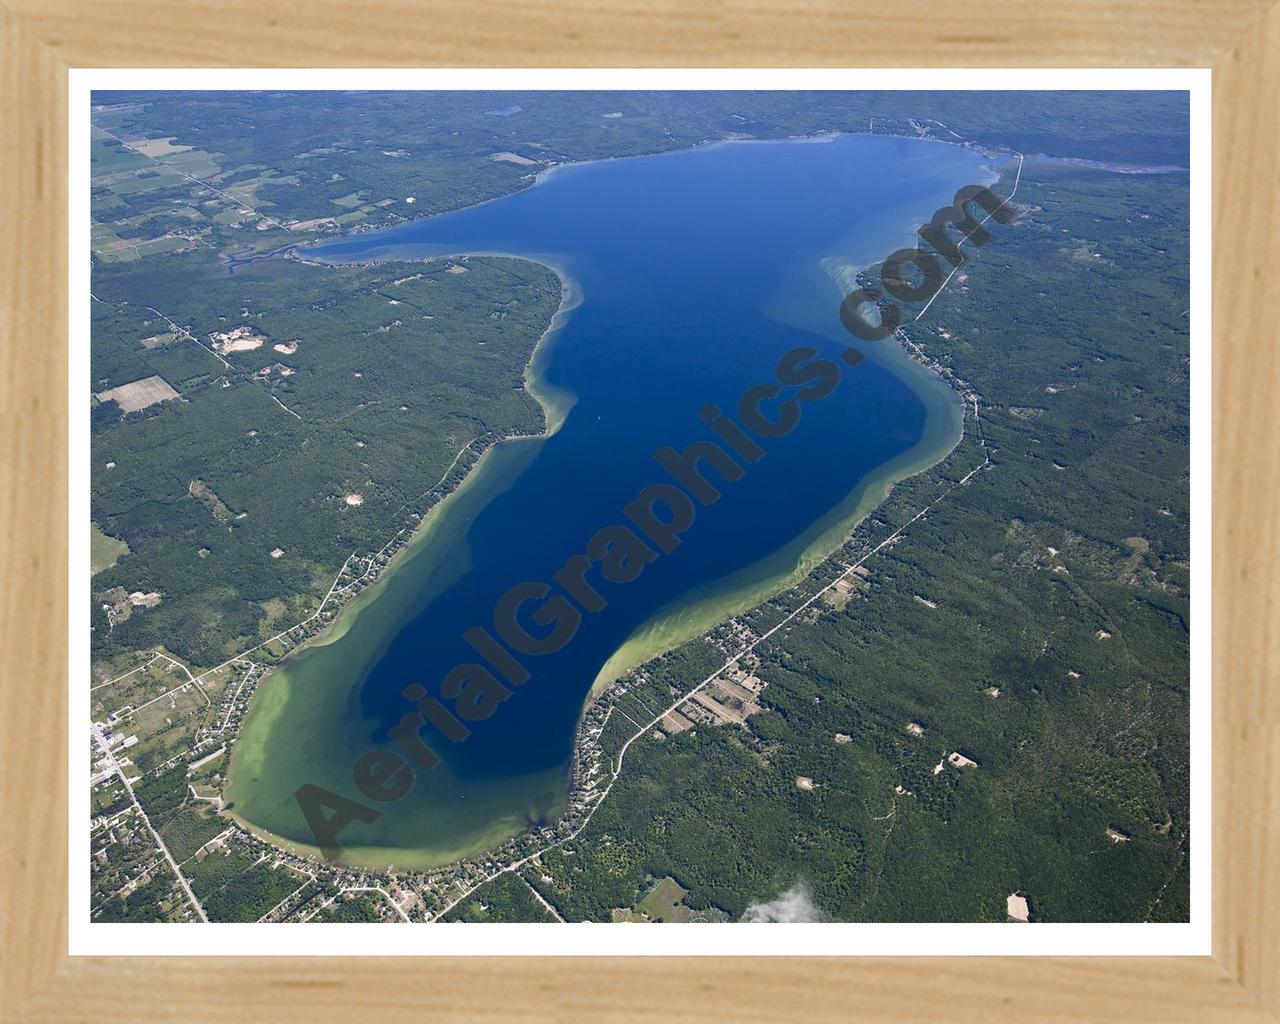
(638, 508)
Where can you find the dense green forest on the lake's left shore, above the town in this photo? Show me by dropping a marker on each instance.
(367, 383)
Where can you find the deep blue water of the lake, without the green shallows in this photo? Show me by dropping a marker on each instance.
(696, 273)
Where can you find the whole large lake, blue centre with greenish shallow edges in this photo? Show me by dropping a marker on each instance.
(693, 273)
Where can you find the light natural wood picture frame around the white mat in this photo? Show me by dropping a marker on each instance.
(42, 39)
